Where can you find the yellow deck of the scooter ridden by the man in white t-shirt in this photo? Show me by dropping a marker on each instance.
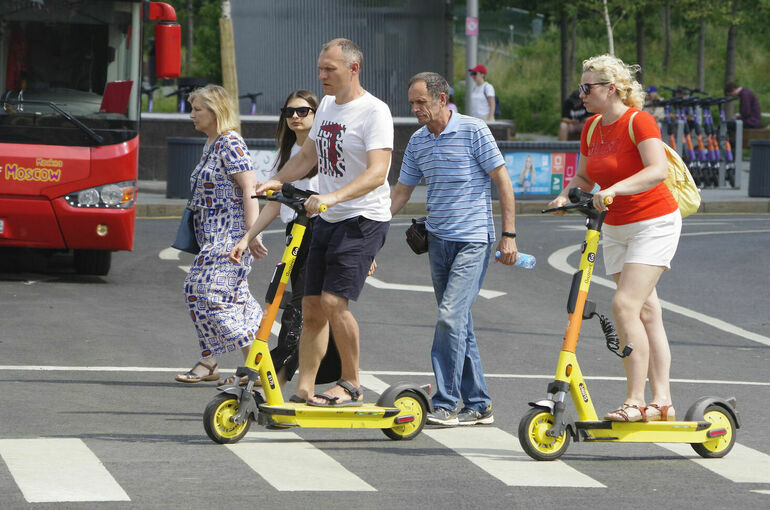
(303, 415)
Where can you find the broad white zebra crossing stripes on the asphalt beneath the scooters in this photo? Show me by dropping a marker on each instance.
(50, 470)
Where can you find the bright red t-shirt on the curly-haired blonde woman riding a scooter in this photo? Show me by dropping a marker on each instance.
(612, 157)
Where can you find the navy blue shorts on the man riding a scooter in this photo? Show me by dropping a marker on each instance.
(341, 254)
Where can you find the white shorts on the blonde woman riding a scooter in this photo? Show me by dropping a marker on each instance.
(652, 242)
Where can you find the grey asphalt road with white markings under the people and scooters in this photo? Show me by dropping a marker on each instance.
(86, 385)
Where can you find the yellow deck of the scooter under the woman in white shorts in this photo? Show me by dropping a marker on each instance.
(646, 432)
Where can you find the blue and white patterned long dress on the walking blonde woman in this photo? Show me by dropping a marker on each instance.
(225, 314)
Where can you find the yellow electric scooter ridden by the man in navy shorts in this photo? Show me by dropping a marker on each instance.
(400, 412)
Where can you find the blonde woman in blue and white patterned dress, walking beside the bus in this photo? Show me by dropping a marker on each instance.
(225, 314)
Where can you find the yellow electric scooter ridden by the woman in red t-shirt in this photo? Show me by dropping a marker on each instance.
(710, 424)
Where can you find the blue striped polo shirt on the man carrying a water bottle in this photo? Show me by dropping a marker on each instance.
(456, 167)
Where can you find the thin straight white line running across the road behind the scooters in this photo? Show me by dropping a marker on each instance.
(50, 368)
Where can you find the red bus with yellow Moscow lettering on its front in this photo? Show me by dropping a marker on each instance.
(69, 121)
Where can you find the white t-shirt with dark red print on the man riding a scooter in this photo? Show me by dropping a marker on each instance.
(343, 134)
